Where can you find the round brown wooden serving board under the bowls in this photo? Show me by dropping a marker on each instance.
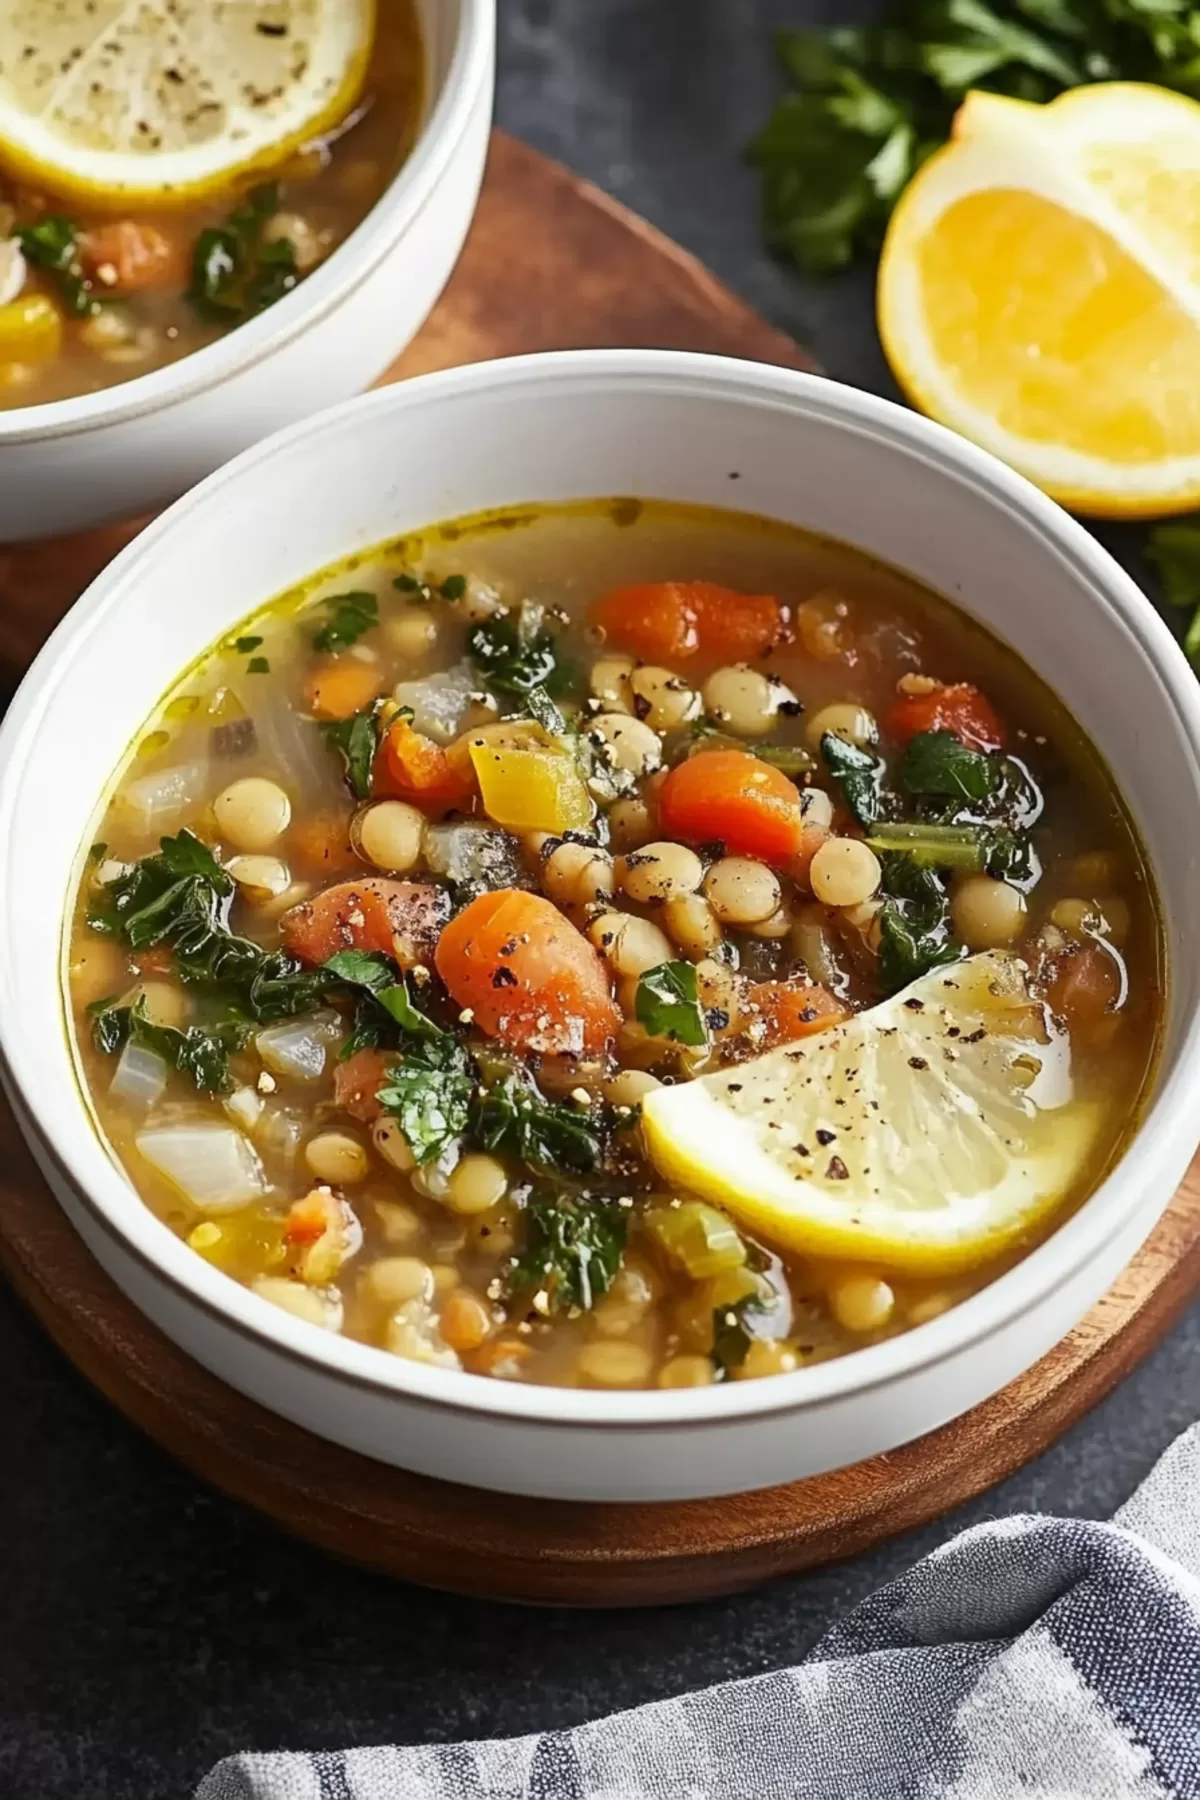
(551, 264)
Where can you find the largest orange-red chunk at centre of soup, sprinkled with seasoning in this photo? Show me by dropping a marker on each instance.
(528, 976)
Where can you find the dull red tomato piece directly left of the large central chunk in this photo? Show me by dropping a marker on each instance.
(395, 919)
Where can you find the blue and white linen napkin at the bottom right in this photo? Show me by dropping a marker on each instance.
(1030, 1659)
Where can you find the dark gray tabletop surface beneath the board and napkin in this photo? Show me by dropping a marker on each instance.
(152, 1626)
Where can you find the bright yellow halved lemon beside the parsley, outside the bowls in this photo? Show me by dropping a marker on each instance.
(1041, 292)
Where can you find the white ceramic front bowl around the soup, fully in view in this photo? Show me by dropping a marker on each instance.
(551, 429)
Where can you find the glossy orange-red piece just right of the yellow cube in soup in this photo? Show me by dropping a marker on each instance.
(737, 800)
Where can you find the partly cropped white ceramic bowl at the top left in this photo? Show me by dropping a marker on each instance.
(138, 445)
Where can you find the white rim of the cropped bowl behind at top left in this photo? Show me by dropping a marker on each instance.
(319, 294)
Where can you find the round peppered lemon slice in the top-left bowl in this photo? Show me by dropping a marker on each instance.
(161, 102)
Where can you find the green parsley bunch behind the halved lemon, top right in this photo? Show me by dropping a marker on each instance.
(868, 105)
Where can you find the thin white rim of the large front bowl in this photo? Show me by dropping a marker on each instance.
(98, 1183)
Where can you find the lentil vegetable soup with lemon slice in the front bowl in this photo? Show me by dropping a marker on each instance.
(614, 946)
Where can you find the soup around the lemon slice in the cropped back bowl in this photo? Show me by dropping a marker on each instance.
(94, 296)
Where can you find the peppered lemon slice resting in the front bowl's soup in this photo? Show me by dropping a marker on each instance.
(929, 1133)
